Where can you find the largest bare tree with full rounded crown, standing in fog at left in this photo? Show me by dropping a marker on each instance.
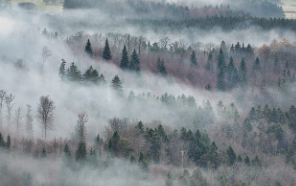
(45, 114)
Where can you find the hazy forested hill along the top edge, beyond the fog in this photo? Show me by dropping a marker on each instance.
(255, 8)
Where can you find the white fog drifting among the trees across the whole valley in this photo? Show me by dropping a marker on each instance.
(22, 41)
